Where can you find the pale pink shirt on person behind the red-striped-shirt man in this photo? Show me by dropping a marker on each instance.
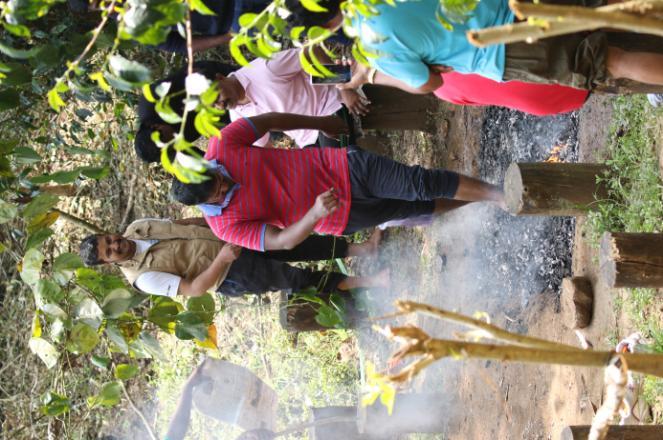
(280, 85)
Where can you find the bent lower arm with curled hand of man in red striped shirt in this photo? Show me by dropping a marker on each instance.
(288, 238)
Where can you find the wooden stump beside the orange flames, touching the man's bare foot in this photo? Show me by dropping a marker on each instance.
(558, 188)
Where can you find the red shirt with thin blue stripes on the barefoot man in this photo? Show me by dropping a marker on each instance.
(277, 186)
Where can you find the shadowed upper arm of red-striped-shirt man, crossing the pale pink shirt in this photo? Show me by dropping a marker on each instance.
(331, 125)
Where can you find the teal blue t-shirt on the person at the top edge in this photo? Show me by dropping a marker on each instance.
(408, 37)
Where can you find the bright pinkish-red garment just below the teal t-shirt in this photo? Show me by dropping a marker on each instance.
(536, 99)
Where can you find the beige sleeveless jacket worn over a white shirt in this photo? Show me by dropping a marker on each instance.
(184, 250)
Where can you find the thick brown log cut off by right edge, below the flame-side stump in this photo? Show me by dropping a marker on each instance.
(632, 259)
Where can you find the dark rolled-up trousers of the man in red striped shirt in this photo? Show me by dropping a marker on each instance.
(384, 190)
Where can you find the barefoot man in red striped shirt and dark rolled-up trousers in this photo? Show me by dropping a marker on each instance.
(269, 199)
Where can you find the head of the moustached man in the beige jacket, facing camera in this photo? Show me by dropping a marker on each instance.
(106, 248)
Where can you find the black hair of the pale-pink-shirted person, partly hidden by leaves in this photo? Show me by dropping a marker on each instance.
(145, 147)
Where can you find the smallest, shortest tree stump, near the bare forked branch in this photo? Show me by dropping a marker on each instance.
(577, 301)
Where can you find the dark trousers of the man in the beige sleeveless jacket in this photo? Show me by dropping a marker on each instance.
(260, 272)
